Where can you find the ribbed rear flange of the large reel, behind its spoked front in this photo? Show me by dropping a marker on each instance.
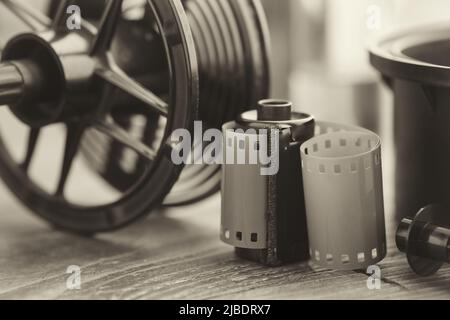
(231, 42)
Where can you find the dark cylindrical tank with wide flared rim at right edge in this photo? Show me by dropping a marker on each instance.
(416, 66)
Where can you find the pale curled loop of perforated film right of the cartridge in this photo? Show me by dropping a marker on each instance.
(342, 177)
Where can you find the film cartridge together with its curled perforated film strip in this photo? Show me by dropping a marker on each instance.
(326, 201)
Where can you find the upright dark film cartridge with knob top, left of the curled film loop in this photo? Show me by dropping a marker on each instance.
(263, 210)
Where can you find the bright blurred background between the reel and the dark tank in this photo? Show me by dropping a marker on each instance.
(320, 59)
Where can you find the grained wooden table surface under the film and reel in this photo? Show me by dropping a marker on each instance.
(175, 254)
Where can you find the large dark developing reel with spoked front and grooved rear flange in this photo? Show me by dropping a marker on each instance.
(130, 62)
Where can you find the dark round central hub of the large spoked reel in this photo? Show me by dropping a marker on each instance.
(56, 78)
